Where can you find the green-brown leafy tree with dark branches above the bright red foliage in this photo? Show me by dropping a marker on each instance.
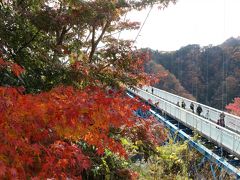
(46, 37)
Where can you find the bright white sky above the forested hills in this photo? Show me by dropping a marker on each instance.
(201, 22)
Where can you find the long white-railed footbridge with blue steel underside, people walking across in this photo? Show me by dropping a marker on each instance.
(220, 146)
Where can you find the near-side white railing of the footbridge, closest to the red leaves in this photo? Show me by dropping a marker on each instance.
(228, 139)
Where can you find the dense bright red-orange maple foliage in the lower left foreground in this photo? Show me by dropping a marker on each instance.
(37, 132)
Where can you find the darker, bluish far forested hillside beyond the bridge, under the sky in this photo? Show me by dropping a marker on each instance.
(211, 74)
